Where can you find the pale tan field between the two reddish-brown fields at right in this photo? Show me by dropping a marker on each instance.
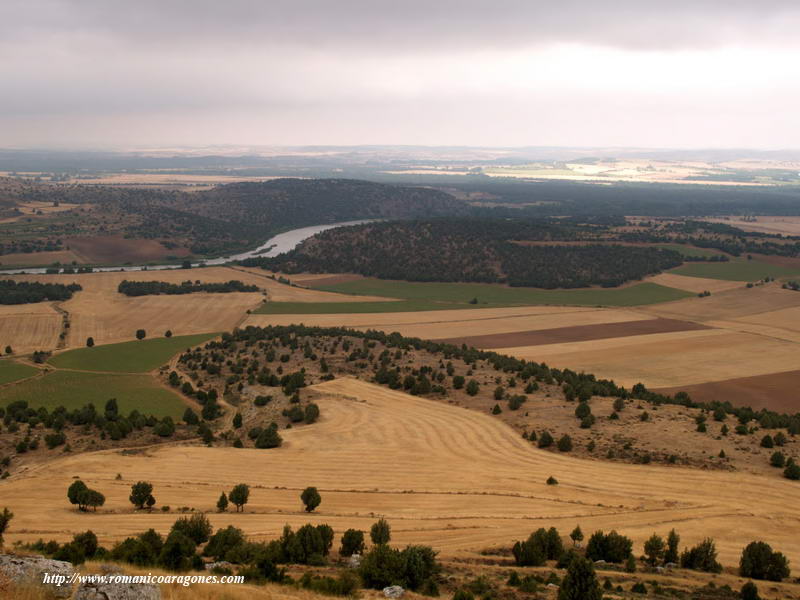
(670, 359)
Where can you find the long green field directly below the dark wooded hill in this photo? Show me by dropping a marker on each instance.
(490, 295)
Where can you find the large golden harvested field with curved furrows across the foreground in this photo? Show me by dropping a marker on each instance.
(446, 476)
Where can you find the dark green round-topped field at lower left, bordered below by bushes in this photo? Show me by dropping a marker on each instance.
(74, 390)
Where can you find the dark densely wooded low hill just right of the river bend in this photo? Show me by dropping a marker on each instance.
(471, 250)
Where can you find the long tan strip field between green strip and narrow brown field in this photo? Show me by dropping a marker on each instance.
(438, 324)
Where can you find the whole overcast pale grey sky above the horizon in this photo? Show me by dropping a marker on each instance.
(645, 73)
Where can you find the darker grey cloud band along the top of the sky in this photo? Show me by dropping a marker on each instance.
(412, 24)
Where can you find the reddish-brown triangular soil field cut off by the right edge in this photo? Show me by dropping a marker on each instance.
(775, 391)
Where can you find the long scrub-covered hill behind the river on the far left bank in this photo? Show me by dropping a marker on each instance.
(229, 217)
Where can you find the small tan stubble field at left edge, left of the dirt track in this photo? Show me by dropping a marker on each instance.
(29, 327)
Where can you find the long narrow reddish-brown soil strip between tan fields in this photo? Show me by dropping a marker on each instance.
(578, 333)
